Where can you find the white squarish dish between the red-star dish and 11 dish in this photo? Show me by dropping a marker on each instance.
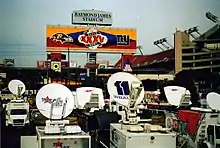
(83, 96)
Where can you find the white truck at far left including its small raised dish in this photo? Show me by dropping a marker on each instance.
(17, 110)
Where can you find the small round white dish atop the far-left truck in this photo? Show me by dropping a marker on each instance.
(15, 85)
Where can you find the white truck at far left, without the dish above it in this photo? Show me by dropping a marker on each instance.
(17, 113)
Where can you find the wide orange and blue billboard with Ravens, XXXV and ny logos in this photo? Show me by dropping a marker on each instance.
(84, 39)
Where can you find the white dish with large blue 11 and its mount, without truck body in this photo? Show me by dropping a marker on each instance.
(126, 90)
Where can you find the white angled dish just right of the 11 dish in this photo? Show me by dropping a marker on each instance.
(174, 94)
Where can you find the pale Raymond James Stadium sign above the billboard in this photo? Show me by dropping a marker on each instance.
(93, 17)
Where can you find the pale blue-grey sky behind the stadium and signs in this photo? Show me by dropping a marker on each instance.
(23, 22)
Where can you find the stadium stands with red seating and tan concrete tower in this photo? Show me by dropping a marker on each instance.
(198, 55)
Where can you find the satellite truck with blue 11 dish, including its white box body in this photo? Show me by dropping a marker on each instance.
(126, 90)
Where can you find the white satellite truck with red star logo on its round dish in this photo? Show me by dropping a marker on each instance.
(57, 133)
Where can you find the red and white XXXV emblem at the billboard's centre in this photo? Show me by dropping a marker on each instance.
(92, 39)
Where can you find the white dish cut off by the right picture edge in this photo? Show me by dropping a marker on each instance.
(213, 100)
